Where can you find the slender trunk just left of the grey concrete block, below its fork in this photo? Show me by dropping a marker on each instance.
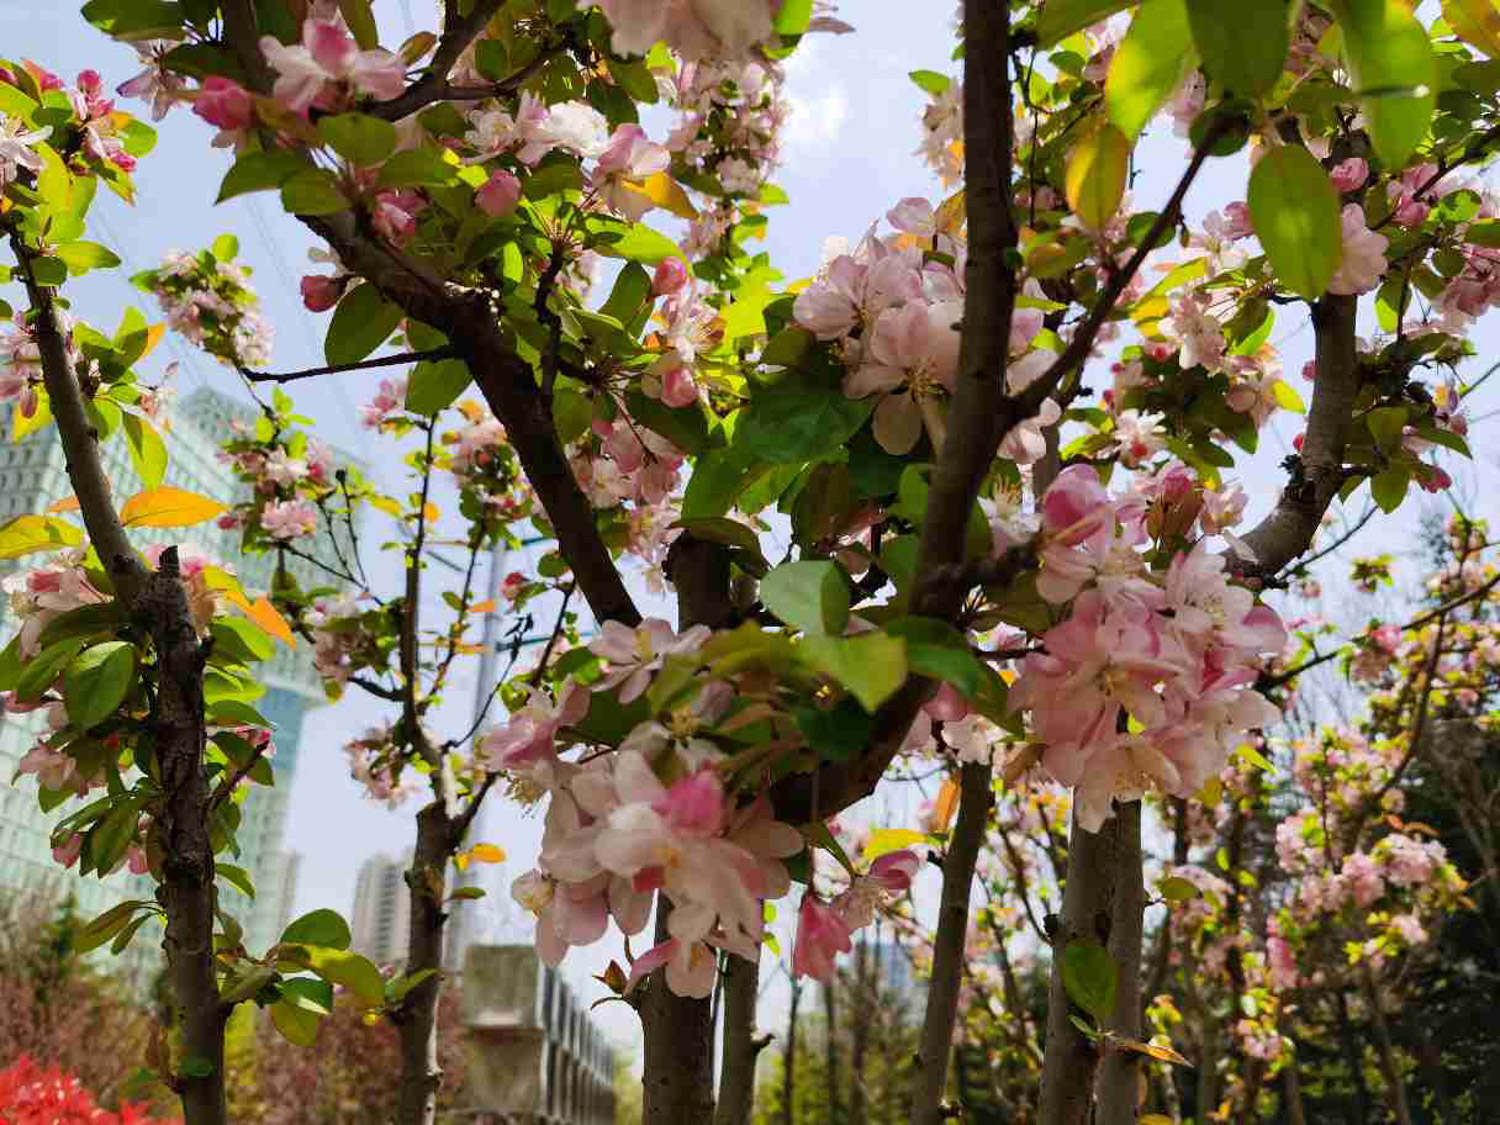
(418, 1019)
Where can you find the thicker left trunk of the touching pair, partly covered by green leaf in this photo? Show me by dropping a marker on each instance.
(1088, 914)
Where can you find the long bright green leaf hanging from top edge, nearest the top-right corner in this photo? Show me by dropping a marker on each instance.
(1393, 65)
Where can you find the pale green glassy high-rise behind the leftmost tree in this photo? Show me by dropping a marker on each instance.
(32, 478)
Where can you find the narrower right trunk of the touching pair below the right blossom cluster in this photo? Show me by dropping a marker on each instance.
(1120, 1076)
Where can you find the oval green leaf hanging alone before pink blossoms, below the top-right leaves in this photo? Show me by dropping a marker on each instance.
(1295, 211)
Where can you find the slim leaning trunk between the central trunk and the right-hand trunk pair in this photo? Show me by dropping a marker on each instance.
(953, 929)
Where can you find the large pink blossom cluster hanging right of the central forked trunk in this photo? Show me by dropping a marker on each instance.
(1150, 680)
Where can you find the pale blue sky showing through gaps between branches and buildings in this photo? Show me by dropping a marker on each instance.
(848, 158)
